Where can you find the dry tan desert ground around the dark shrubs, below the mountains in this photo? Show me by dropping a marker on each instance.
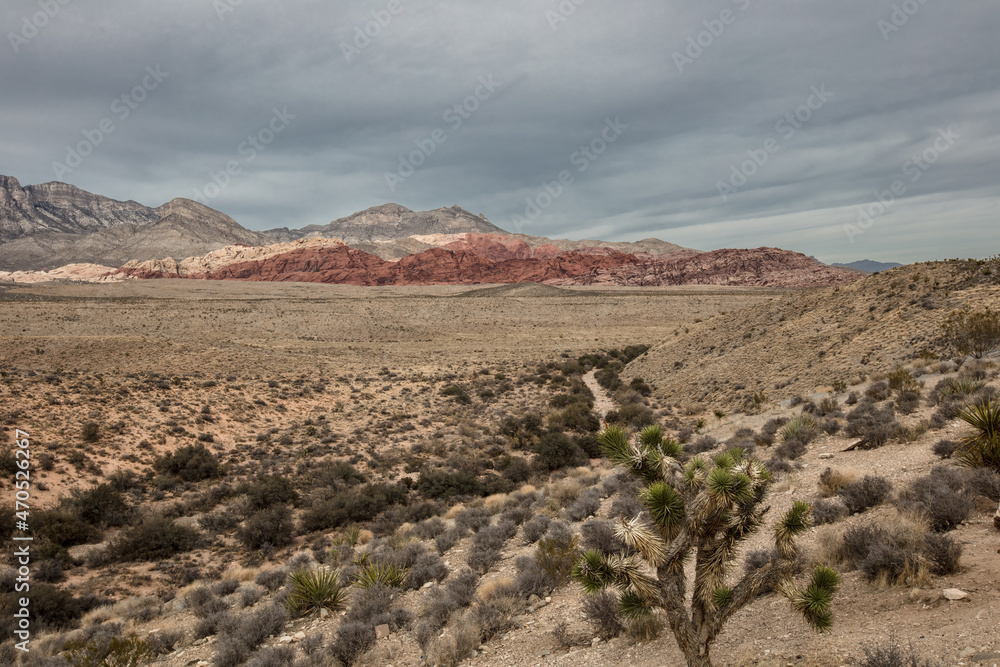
(284, 378)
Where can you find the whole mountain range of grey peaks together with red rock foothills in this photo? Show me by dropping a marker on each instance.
(57, 231)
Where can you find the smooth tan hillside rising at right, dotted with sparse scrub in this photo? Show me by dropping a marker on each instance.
(801, 342)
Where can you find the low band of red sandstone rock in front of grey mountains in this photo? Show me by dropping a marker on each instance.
(484, 260)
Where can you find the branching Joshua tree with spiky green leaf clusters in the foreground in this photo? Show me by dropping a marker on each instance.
(705, 508)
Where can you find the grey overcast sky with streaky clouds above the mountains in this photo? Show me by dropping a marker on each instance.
(672, 101)
